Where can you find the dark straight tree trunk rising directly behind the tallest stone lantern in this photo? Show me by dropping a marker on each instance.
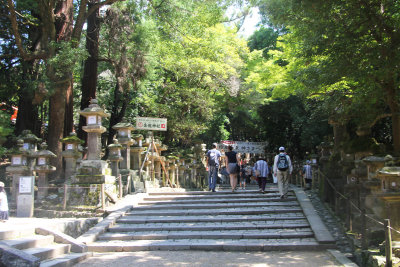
(89, 80)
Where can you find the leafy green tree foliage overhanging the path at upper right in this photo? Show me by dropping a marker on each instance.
(348, 48)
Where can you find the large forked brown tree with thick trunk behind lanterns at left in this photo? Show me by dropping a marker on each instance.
(58, 49)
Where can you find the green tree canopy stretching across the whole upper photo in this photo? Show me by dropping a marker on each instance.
(308, 67)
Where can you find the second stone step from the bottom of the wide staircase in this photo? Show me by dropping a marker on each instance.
(237, 234)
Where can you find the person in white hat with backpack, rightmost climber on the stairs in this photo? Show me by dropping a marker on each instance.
(282, 169)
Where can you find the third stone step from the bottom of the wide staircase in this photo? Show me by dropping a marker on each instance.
(205, 226)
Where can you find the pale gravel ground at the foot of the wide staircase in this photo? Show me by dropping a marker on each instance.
(206, 258)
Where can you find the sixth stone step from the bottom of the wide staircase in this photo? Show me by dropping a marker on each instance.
(216, 205)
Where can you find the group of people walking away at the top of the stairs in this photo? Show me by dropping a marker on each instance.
(243, 170)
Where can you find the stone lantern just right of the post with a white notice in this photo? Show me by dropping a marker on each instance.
(42, 168)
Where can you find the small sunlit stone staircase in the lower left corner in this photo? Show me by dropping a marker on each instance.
(33, 246)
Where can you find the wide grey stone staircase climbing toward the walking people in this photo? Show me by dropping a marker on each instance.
(245, 220)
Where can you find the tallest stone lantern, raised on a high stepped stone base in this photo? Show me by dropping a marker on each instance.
(94, 115)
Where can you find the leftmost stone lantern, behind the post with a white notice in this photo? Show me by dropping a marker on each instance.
(19, 166)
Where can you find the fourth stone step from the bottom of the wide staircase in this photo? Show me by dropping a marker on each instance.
(212, 218)
